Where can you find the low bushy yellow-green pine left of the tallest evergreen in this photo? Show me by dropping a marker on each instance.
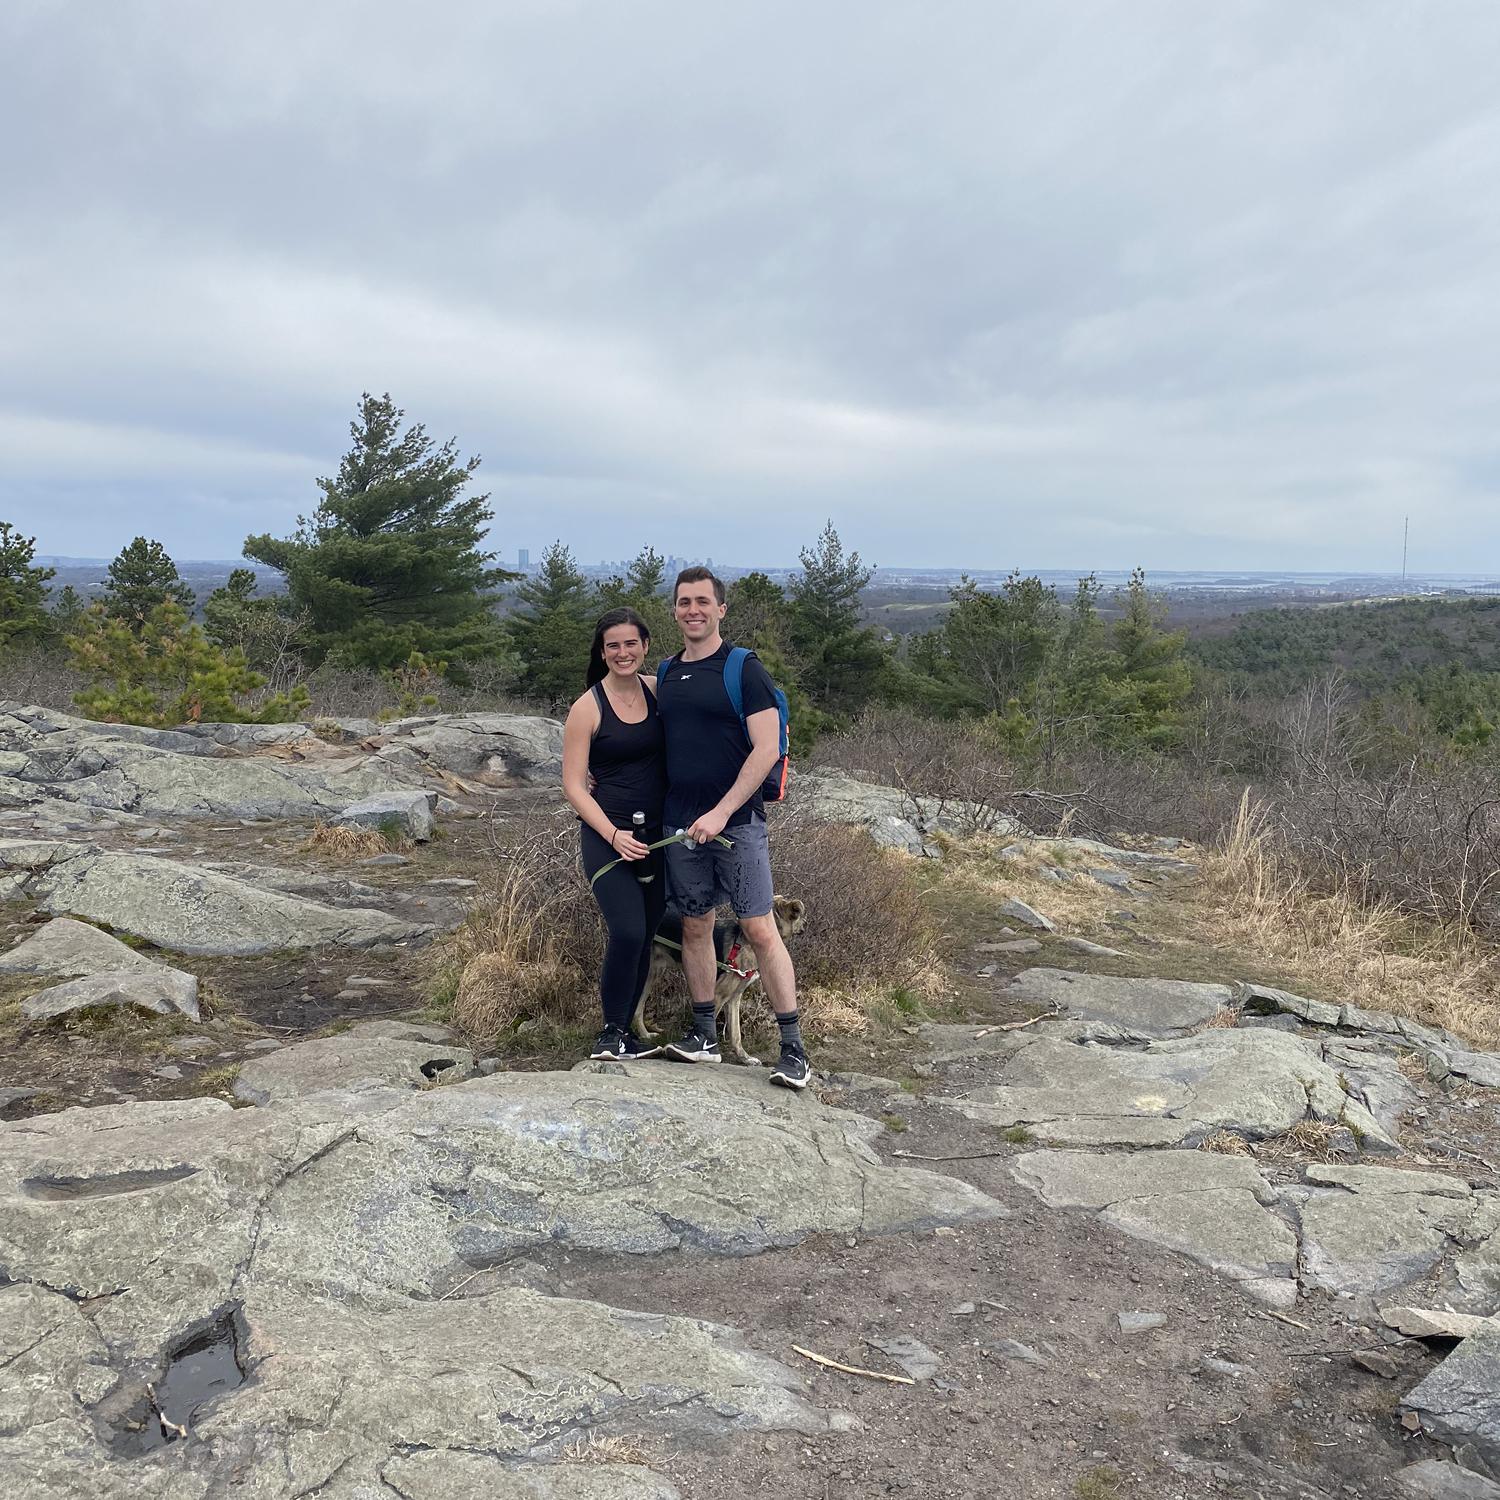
(164, 671)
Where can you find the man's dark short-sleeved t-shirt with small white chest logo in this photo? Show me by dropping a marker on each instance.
(706, 743)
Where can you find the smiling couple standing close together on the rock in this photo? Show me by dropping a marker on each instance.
(685, 758)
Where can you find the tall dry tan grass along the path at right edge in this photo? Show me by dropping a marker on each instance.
(1253, 898)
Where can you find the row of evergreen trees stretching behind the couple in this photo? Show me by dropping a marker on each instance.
(389, 575)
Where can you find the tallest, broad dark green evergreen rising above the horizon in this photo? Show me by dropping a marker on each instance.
(391, 562)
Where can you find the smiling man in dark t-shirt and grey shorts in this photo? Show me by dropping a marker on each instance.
(713, 778)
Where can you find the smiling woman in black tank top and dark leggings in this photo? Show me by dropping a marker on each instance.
(614, 737)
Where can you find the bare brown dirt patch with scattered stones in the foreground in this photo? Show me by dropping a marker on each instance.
(1039, 1387)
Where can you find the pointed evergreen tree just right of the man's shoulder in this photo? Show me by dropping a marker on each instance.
(839, 662)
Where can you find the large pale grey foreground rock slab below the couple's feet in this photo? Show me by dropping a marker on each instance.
(337, 1246)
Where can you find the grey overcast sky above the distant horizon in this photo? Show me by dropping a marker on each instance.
(1082, 284)
